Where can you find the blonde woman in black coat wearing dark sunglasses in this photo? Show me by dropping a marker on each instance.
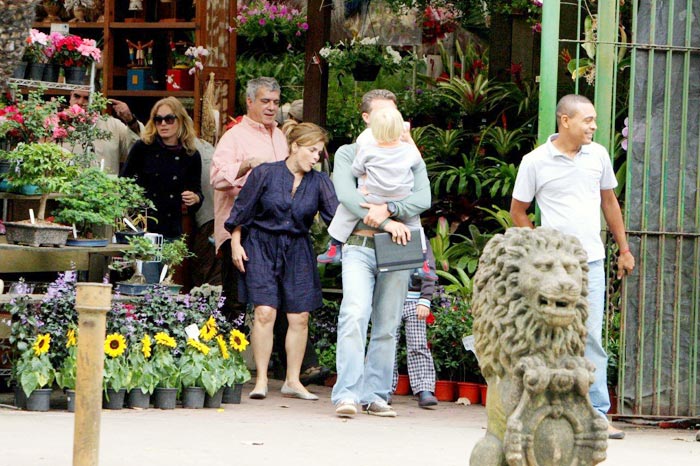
(166, 163)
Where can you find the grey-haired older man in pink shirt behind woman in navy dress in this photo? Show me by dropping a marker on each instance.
(255, 140)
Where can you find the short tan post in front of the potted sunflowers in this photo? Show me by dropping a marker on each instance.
(92, 302)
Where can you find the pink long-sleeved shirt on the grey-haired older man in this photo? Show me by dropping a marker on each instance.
(247, 139)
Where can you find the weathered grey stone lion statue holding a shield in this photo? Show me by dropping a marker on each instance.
(530, 308)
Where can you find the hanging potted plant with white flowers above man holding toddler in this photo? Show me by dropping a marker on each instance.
(363, 57)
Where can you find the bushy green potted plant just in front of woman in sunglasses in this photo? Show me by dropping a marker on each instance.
(96, 199)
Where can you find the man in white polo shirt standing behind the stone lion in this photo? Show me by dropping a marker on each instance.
(571, 178)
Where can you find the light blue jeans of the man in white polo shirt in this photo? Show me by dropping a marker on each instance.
(600, 399)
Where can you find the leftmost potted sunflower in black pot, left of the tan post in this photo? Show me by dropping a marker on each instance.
(35, 374)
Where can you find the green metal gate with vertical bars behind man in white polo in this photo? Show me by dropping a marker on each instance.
(660, 334)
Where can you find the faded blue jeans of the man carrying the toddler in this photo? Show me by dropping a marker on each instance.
(378, 297)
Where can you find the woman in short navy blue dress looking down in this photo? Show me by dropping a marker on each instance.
(271, 246)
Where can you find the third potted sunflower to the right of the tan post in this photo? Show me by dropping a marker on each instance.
(166, 370)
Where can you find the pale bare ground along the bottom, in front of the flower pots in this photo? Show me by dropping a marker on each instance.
(289, 432)
